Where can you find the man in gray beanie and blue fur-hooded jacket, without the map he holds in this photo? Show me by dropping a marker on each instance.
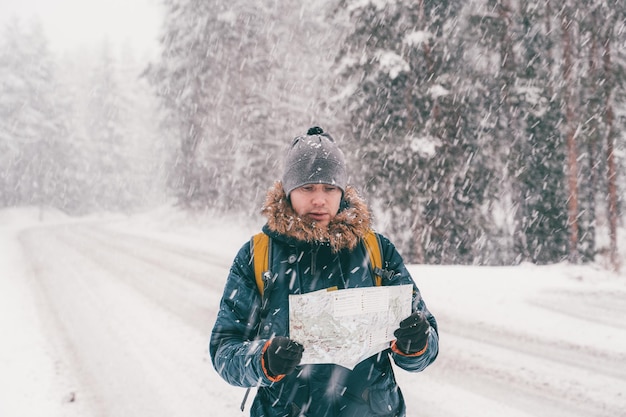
(316, 223)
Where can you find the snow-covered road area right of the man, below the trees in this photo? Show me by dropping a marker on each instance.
(528, 341)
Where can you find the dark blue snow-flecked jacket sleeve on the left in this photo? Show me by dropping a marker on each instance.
(234, 348)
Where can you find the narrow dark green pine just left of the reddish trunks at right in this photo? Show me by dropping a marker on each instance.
(541, 179)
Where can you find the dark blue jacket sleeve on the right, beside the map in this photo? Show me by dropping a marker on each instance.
(416, 362)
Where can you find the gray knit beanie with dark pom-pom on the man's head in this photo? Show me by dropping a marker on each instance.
(314, 159)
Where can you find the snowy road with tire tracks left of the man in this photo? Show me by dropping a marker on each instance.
(131, 318)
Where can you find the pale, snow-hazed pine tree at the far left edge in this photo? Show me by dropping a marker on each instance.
(32, 132)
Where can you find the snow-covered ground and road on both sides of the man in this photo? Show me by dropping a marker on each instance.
(111, 317)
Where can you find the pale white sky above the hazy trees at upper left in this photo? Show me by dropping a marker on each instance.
(71, 24)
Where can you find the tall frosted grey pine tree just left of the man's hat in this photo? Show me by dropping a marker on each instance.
(202, 78)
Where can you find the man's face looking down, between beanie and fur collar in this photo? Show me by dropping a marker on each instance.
(316, 202)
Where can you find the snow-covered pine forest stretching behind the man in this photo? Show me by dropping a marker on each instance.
(485, 132)
